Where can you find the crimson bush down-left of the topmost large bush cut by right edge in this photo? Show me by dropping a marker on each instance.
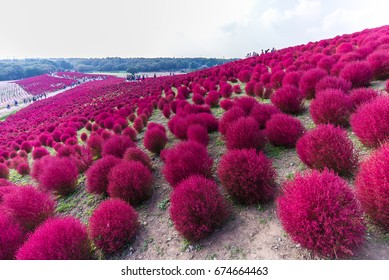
(359, 73)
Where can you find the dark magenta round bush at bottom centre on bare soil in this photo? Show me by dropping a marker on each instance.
(197, 208)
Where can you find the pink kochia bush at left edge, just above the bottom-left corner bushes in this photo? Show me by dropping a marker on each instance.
(28, 207)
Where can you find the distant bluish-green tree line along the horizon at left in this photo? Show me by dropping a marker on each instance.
(15, 69)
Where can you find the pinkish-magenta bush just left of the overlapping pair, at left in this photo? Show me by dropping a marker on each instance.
(58, 175)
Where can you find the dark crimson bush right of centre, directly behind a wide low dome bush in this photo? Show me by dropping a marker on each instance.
(288, 99)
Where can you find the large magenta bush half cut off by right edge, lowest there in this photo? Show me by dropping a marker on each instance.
(372, 184)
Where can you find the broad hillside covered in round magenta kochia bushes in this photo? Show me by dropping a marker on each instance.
(183, 125)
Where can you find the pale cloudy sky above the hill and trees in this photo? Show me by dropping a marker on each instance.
(175, 28)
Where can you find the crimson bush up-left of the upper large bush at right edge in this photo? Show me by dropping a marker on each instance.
(331, 106)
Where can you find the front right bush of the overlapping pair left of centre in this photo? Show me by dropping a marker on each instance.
(130, 181)
